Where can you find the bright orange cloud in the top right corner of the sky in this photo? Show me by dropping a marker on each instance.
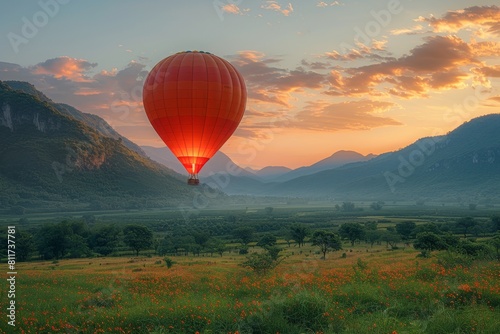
(487, 17)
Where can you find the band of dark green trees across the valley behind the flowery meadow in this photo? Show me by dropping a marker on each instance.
(75, 239)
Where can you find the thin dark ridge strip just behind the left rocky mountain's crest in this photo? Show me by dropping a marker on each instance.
(93, 121)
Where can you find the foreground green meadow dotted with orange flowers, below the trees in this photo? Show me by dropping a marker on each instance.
(371, 290)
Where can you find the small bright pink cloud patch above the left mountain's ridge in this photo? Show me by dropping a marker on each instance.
(65, 67)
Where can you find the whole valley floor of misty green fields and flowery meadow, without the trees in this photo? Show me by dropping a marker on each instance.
(362, 288)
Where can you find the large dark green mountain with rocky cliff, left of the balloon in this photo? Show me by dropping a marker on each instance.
(50, 160)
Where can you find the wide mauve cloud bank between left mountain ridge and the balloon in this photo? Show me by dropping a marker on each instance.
(115, 95)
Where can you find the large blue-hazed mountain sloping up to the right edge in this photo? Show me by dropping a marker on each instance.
(462, 165)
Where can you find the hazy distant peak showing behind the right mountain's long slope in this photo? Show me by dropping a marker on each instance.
(337, 159)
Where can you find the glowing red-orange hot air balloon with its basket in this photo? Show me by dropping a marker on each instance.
(195, 101)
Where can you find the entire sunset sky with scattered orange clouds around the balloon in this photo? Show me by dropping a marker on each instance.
(368, 76)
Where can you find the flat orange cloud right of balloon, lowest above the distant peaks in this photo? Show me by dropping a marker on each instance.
(349, 115)
